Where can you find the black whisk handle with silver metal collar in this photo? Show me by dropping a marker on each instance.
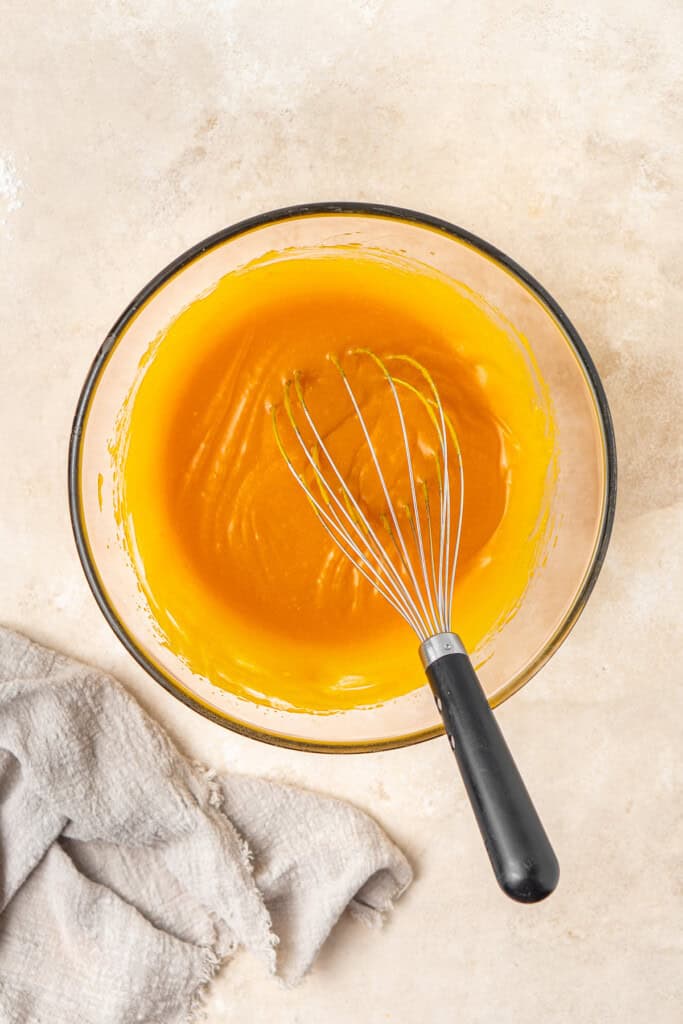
(521, 854)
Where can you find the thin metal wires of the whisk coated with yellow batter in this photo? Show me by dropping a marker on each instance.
(410, 552)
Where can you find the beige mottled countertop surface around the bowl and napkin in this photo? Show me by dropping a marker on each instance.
(131, 131)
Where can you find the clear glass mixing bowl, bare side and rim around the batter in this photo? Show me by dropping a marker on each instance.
(583, 503)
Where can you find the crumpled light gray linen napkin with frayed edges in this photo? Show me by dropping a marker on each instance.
(129, 875)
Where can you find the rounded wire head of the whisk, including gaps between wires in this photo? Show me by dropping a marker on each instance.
(394, 505)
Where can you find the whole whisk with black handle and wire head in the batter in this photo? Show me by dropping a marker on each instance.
(398, 516)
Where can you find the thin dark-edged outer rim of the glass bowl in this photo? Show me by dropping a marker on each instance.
(241, 228)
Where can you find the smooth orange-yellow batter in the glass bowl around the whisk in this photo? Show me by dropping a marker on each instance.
(243, 582)
